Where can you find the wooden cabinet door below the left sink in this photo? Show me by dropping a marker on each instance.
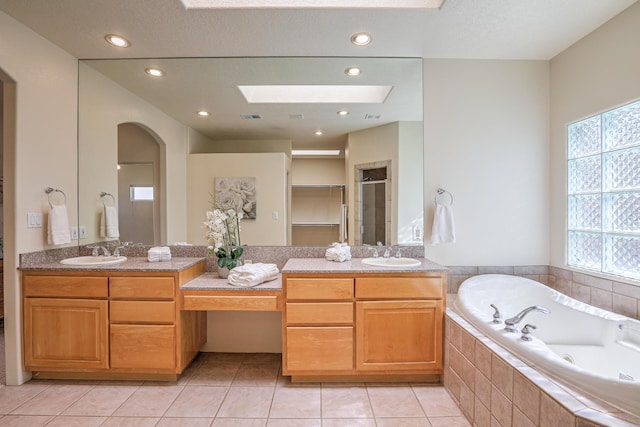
(65, 333)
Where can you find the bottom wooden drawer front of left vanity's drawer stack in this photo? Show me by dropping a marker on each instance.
(144, 347)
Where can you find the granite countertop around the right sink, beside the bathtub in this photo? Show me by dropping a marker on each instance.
(355, 265)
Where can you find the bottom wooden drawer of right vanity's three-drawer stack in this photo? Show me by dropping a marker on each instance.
(319, 348)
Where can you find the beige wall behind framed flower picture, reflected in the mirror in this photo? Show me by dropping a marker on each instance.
(270, 171)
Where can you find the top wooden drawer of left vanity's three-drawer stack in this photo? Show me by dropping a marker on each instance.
(141, 287)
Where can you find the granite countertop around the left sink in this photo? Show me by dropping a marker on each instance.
(131, 264)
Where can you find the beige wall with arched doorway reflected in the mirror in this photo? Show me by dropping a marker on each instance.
(103, 105)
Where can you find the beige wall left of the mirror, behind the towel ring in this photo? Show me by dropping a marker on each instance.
(42, 154)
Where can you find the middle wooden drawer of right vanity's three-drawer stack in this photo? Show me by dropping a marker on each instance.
(328, 313)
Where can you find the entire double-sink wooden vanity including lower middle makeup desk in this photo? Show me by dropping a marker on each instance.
(141, 320)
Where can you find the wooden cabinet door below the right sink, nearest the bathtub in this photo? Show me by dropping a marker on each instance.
(399, 335)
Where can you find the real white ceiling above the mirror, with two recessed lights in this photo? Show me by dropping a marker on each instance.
(494, 29)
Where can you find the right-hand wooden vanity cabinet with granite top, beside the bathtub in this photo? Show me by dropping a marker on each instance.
(347, 321)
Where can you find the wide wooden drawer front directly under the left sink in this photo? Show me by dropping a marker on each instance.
(65, 286)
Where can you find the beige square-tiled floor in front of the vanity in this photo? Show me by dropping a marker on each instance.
(226, 390)
